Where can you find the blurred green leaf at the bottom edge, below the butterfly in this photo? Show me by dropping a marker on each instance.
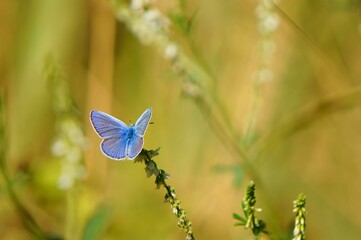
(97, 223)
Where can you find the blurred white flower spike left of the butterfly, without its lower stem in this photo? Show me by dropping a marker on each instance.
(70, 141)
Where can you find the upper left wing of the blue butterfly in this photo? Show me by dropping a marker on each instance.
(107, 126)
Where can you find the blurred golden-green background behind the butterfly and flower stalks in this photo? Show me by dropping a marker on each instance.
(287, 77)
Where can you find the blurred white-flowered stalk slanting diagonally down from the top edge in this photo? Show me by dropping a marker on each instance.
(151, 27)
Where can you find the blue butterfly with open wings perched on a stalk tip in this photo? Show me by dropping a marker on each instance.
(120, 141)
